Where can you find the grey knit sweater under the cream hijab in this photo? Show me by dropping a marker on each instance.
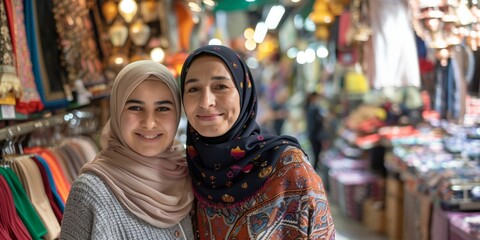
(93, 212)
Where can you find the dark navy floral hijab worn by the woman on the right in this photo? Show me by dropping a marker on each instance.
(231, 168)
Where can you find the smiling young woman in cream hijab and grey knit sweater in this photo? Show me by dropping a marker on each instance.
(138, 186)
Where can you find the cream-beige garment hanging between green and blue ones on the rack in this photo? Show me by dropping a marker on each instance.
(30, 177)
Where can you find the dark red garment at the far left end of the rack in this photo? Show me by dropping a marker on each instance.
(9, 220)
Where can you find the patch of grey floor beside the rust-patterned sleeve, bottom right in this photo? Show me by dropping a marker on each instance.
(347, 228)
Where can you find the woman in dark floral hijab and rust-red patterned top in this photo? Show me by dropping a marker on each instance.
(247, 183)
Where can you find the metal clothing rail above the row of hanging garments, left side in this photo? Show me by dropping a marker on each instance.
(21, 129)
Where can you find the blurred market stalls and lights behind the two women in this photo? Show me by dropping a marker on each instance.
(397, 85)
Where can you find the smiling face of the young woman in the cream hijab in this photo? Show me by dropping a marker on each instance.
(148, 123)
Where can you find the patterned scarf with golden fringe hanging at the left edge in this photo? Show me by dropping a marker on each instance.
(8, 73)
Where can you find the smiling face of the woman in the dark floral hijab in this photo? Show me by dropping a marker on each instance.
(211, 100)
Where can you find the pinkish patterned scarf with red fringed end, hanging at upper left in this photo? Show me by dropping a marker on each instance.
(30, 101)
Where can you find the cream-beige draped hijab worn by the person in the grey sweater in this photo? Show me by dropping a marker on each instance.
(156, 189)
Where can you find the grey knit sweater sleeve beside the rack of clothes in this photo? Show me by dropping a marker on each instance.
(83, 204)
